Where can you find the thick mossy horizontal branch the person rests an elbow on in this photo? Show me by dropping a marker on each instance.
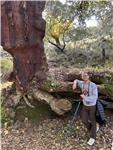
(104, 89)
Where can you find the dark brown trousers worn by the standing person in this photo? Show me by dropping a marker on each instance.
(88, 118)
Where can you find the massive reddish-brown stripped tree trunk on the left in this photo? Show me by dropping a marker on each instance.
(22, 33)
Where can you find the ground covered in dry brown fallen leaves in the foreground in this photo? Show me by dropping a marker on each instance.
(48, 135)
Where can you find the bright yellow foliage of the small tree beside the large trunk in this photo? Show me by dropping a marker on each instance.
(57, 28)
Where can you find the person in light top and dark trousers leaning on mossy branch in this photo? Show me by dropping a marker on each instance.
(89, 97)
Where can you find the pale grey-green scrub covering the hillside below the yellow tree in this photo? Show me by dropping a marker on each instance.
(83, 53)
